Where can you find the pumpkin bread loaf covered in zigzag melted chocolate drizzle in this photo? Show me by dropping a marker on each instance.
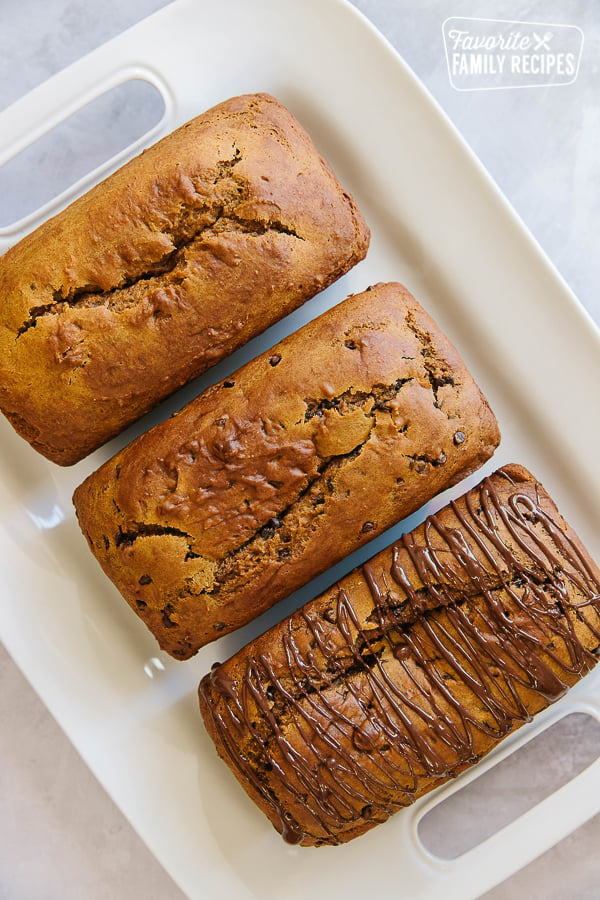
(412, 667)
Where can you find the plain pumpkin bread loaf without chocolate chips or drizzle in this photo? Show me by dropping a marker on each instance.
(173, 262)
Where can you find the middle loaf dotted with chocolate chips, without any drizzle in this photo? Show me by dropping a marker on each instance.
(281, 470)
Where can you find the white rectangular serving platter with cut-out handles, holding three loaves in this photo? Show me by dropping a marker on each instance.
(439, 225)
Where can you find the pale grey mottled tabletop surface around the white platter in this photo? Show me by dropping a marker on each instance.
(61, 838)
